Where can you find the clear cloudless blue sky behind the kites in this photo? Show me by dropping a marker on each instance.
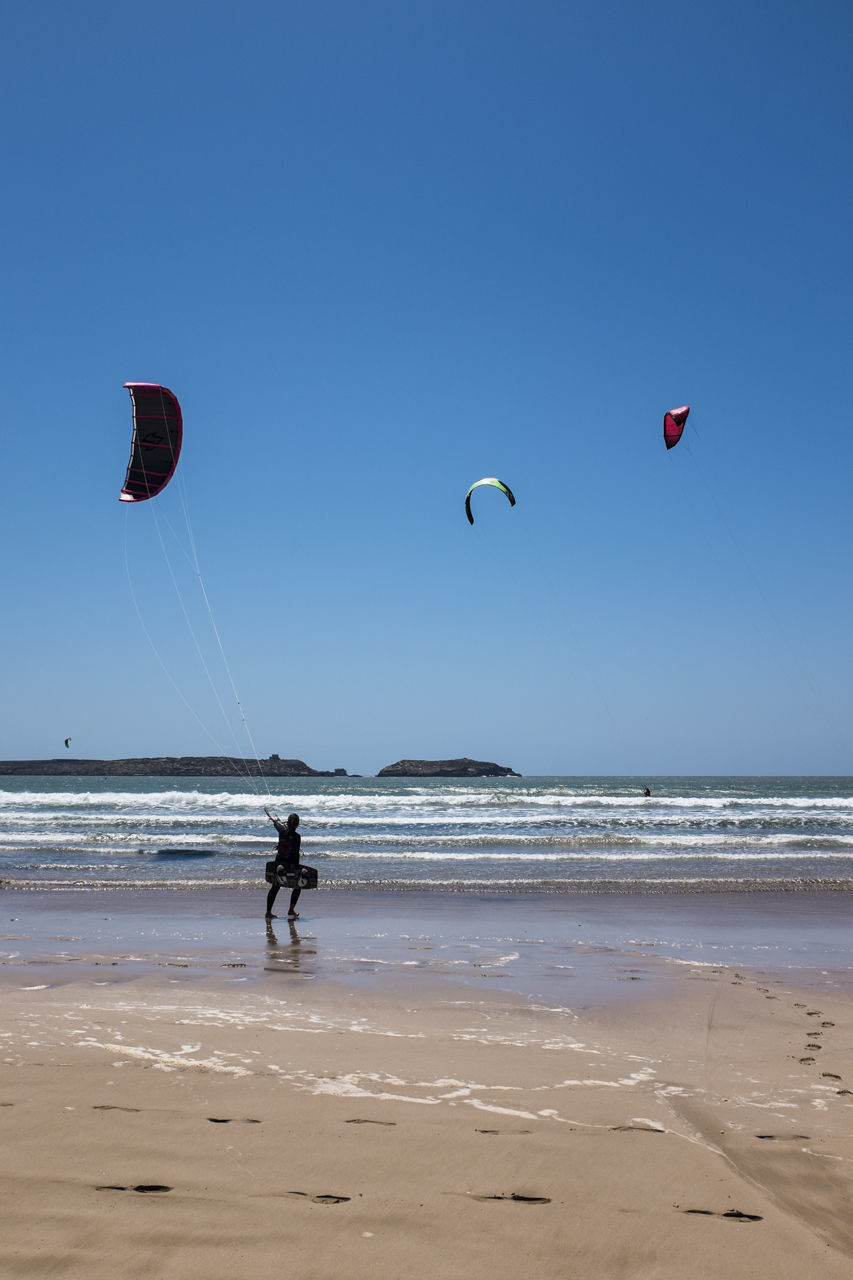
(381, 250)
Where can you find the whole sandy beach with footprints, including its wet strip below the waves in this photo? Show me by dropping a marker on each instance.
(412, 1092)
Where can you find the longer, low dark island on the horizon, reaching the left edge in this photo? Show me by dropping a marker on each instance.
(171, 767)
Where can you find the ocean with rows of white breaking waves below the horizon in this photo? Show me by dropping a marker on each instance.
(545, 835)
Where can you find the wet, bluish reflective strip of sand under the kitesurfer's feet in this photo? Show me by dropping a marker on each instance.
(564, 950)
